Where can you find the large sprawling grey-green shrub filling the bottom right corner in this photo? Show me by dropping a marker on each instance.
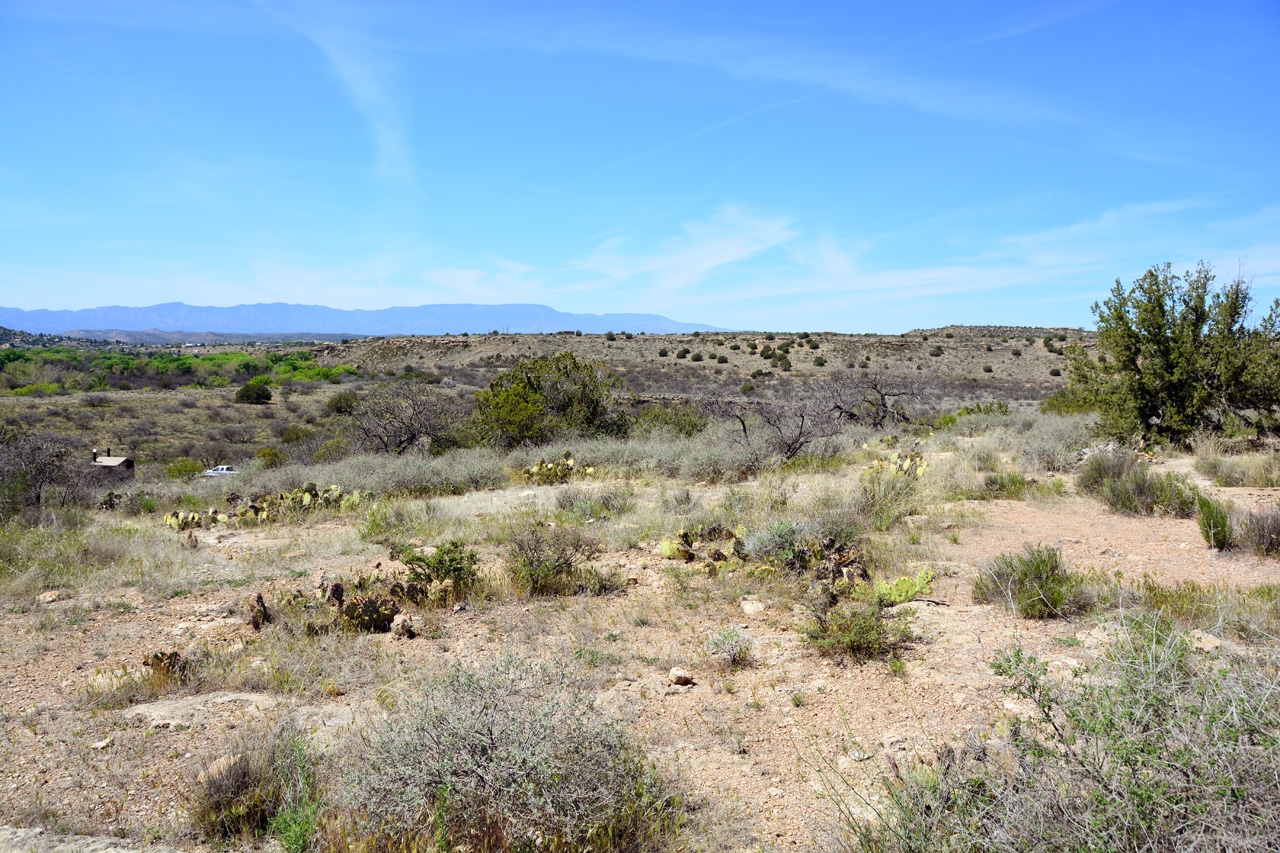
(1160, 751)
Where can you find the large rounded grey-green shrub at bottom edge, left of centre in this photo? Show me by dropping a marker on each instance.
(511, 758)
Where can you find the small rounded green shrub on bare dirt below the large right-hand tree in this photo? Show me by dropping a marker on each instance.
(1035, 585)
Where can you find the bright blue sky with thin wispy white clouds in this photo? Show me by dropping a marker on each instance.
(858, 167)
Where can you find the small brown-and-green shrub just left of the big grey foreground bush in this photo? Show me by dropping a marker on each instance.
(266, 786)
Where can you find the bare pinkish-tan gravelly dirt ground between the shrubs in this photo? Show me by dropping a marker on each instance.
(746, 745)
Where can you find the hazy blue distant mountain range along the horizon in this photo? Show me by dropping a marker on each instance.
(281, 321)
